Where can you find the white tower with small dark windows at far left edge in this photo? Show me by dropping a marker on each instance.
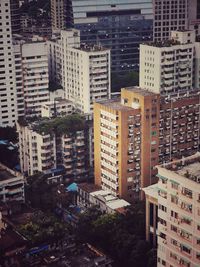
(8, 99)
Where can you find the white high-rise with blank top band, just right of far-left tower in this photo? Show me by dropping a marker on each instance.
(35, 77)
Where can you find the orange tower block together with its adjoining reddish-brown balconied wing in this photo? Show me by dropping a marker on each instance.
(161, 130)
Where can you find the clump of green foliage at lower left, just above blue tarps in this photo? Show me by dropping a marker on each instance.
(43, 228)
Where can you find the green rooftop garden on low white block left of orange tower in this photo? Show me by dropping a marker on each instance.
(62, 125)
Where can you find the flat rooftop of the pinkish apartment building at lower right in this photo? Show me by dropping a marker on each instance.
(187, 167)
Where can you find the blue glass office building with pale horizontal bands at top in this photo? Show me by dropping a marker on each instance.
(117, 25)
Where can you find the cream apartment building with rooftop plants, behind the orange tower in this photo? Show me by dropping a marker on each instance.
(167, 66)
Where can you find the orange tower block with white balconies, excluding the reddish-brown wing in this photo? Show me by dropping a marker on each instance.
(126, 141)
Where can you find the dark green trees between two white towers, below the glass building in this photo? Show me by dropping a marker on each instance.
(120, 81)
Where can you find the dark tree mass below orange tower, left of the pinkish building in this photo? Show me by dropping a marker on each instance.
(122, 236)
